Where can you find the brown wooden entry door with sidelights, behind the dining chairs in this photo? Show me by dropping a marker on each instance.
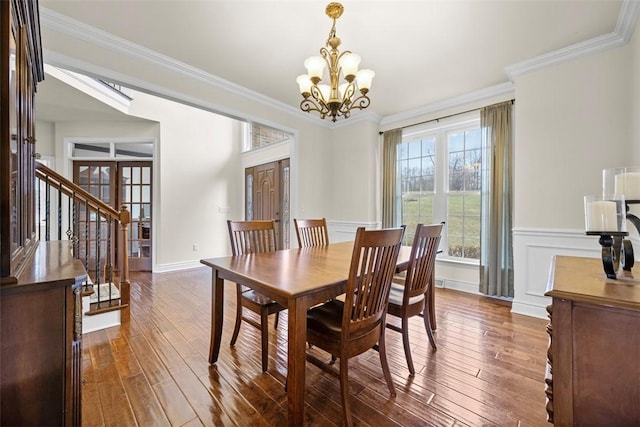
(267, 196)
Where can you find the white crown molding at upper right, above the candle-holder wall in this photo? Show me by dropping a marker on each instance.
(627, 20)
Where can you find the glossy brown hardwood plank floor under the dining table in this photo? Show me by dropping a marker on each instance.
(153, 370)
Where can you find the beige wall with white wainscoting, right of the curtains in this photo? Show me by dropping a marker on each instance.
(572, 120)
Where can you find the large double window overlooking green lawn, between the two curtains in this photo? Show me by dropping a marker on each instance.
(438, 178)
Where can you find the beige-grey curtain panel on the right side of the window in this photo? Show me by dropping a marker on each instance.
(496, 252)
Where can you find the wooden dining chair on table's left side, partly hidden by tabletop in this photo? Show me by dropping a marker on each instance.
(249, 237)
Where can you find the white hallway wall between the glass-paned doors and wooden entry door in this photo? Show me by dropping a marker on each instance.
(196, 187)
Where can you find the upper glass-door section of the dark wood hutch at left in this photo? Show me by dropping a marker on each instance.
(21, 69)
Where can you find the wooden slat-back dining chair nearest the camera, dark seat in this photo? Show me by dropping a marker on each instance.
(347, 329)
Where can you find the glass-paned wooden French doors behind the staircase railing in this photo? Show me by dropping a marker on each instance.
(128, 183)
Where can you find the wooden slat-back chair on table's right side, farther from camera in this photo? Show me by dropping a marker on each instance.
(408, 296)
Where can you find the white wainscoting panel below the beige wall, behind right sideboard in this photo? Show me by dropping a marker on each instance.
(533, 250)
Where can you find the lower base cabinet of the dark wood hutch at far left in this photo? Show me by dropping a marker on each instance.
(41, 340)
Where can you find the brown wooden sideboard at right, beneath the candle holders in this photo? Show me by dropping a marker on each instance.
(593, 363)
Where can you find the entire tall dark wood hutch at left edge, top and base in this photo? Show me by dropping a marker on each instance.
(40, 303)
